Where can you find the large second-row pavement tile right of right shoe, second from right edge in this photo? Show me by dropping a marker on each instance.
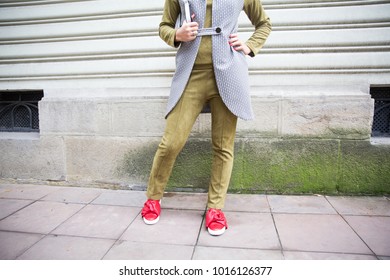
(318, 233)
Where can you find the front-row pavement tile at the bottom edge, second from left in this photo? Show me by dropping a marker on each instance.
(54, 247)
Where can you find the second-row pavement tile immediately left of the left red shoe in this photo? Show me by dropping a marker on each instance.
(100, 221)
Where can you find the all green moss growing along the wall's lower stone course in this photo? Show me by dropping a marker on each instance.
(290, 166)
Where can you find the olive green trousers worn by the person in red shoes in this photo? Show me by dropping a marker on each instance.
(201, 89)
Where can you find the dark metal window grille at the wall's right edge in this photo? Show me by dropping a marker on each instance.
(381, 124)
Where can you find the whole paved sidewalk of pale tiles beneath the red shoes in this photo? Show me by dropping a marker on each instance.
(51, 222)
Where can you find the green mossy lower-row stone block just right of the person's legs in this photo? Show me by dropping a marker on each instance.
(291, 166)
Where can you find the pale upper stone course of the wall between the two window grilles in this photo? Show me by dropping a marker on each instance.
(338, 112)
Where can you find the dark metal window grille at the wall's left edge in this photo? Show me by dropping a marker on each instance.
(19, 111)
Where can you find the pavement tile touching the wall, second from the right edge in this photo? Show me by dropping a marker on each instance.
(300, 204)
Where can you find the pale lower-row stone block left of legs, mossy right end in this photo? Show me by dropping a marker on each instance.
(105, 159)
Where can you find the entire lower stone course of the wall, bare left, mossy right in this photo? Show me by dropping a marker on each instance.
(288, 166)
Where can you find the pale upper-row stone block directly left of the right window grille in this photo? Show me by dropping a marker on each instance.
(327, 117)
